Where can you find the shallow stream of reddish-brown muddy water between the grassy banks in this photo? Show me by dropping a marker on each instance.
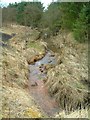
(37, 86)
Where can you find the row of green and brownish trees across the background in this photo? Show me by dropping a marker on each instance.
(69, 16)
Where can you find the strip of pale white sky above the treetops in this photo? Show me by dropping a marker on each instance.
(46, 2)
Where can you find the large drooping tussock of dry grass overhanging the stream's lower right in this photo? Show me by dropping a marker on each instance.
(69, 95)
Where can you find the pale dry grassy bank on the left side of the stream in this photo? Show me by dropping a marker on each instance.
(16, 100)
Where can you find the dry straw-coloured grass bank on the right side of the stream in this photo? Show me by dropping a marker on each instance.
(65, 80)
